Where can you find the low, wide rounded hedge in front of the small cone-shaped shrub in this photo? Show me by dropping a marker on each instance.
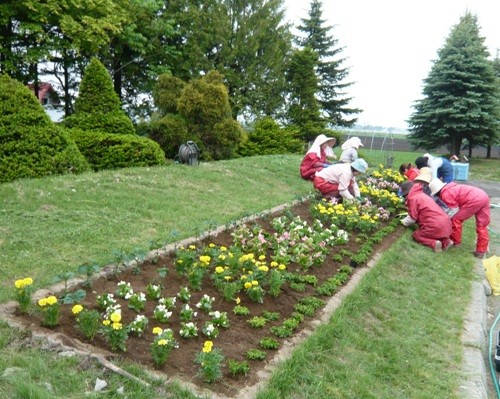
(112, 151)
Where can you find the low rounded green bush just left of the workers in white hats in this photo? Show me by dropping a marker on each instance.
(268, 138)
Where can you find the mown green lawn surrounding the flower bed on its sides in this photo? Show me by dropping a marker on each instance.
(396, 336)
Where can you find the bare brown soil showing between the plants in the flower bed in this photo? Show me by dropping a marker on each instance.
(234, 341)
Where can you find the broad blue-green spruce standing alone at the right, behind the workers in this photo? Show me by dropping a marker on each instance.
(460, 94)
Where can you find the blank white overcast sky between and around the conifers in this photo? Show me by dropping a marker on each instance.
(389, 46)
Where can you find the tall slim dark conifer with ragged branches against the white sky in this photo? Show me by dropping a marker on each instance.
(329, 70)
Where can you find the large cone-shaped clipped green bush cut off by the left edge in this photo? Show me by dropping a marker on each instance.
(31, 145)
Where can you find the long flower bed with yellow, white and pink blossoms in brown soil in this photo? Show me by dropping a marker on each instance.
(220, 308)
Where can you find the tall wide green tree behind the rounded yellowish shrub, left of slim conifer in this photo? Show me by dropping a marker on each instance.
(249, 41)
